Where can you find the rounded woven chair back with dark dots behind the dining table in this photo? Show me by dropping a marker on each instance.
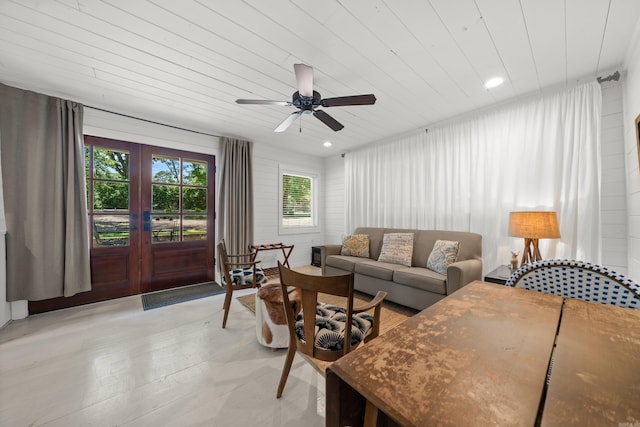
(578, 279)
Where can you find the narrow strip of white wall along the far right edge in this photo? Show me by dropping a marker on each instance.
(631, 96)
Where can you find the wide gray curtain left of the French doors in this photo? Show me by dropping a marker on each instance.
(43, 180)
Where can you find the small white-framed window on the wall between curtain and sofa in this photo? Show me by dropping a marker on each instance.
(297, 213)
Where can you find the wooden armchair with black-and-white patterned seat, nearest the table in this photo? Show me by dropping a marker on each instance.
(327, 324)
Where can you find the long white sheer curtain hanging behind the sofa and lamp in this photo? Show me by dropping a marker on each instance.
(543, 154)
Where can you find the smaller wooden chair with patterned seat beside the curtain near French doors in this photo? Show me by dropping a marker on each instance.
(237, 271)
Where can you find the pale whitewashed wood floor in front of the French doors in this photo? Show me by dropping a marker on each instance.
(113, 364)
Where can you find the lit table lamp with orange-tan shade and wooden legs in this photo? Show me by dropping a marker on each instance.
(533, 226)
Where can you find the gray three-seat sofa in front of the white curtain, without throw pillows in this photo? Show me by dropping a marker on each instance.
(415, 286)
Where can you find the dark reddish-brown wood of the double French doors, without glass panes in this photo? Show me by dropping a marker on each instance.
(143, 266)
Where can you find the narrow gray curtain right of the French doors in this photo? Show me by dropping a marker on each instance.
(235, 220)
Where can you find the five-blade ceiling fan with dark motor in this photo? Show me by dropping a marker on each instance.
(308, 101)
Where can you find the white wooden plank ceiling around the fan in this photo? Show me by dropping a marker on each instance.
(185, 62)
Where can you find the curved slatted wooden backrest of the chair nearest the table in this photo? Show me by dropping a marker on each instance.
(309, 286)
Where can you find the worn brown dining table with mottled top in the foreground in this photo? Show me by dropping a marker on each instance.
(481, 357)
